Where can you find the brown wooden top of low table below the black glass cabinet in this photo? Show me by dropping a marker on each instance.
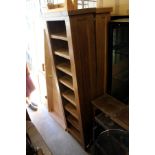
(117, 111)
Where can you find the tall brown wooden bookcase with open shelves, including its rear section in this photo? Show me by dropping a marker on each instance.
(78, 49)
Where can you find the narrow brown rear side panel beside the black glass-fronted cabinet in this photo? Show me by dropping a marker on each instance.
(101, 52)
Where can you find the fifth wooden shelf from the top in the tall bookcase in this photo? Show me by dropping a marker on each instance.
(69, 95)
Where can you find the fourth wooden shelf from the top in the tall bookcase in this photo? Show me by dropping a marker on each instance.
(65, 80)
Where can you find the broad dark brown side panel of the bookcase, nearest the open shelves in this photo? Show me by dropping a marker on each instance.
(82, 28)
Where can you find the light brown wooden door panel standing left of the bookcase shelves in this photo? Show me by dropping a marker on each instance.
(54, 106)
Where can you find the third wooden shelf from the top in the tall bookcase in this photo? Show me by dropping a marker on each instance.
(65, 67)
